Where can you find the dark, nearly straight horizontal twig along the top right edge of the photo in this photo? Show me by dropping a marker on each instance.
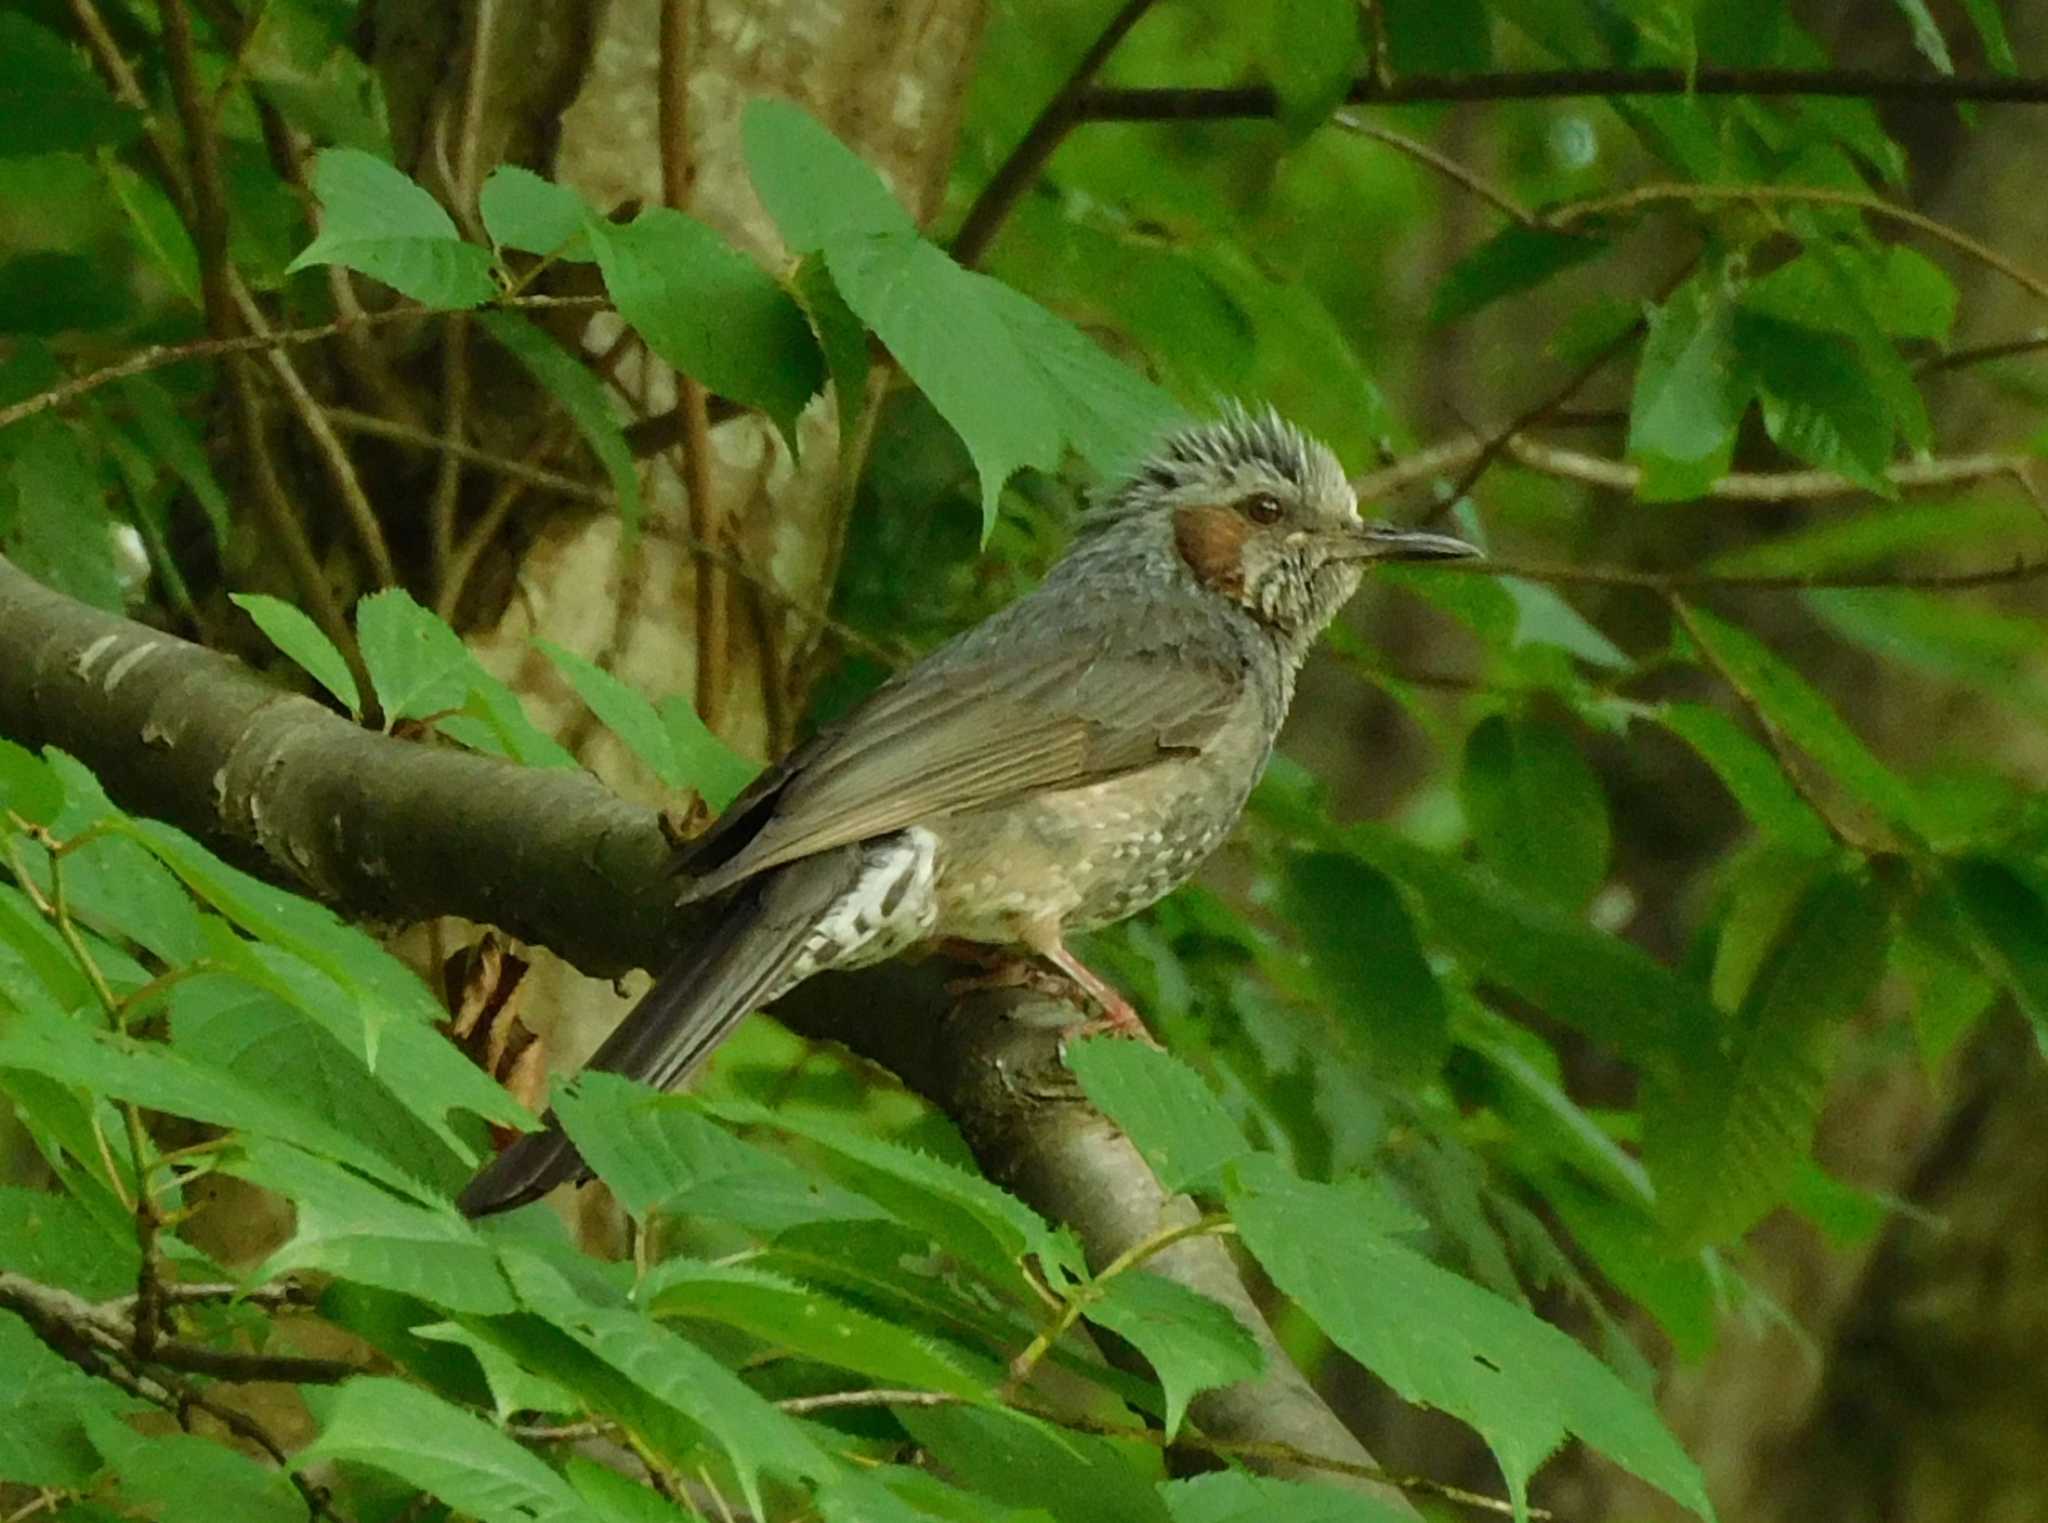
(1549, 85)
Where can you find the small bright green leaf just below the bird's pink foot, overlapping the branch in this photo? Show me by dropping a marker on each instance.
(1164, 1108)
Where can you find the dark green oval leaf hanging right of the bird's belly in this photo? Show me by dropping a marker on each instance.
(1369, 963)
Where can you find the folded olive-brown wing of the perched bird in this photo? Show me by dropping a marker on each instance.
(949, 740)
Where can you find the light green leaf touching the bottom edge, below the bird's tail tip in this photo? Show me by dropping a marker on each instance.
(452, 1454)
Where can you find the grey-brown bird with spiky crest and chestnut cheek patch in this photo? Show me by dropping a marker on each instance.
(1056, 769)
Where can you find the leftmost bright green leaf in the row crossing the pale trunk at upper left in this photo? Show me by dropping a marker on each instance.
(384, 226)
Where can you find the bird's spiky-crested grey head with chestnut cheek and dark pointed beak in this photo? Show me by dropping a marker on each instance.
(1261, 515)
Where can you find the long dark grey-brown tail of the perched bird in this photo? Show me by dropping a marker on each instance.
(740, 961)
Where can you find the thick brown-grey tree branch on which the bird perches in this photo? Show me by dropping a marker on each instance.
(394, 830)
